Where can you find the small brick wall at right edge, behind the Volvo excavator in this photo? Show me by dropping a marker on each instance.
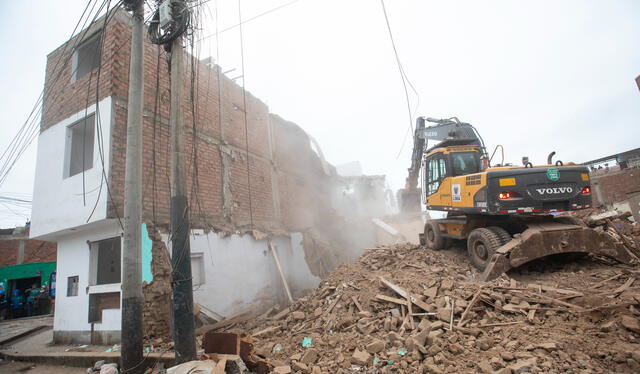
(614, 187)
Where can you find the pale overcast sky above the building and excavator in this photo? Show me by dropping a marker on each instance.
(534, 76)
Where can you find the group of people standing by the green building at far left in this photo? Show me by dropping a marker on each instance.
(30, 302)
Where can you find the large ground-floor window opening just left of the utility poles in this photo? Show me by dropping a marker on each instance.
(105, 261)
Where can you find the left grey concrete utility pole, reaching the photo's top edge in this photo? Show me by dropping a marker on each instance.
(132, 300)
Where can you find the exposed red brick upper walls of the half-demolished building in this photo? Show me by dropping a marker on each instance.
(262, 170)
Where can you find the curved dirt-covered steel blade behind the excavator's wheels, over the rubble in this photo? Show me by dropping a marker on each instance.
(549, 238)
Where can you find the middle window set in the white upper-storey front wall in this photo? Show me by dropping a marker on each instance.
(80, 146)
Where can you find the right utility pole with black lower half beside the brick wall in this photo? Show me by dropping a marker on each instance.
(183, 322)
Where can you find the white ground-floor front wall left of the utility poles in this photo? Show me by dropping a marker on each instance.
(72, 312)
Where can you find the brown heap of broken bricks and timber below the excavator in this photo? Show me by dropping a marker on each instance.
(409, 309)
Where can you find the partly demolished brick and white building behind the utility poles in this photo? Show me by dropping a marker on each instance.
(250, 184)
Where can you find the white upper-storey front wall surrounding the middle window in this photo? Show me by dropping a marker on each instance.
(57, 201)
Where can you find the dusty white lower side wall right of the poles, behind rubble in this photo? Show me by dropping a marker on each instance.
(240, 271)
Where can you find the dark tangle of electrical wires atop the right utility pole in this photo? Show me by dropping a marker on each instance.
(181, 19)
